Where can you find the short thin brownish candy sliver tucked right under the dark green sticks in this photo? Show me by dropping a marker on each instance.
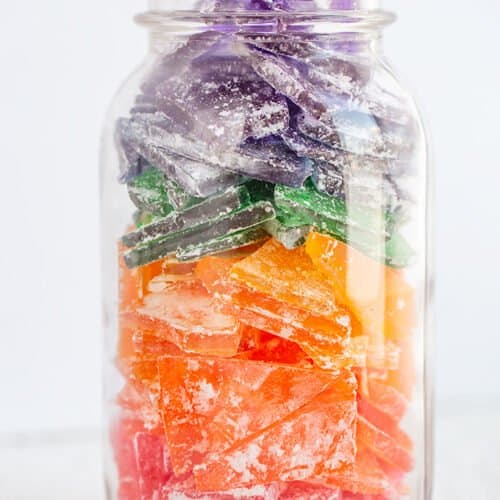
(223, 244)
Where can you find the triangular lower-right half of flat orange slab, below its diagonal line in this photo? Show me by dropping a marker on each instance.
(313, 441)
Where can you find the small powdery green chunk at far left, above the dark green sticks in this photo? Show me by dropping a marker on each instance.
(148, 192)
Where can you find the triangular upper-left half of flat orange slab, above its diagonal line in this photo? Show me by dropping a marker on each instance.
(210, 404)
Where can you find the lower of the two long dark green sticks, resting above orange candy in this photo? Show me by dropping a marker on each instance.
(240, 220)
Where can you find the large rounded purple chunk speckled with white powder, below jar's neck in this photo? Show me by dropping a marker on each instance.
(223, 103)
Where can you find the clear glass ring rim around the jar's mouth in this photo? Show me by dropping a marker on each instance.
(337, 20)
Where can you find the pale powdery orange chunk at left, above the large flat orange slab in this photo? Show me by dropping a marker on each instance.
(185, 314)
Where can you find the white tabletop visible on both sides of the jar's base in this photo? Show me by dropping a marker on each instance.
(467, 465)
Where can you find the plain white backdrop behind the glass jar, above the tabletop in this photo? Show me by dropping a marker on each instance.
(60, 63)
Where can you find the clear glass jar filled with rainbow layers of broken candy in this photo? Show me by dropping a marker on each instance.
(264, 205)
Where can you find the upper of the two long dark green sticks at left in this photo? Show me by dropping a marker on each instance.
(211, 208)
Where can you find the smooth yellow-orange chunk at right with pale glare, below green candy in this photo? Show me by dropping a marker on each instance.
(379, 296)
